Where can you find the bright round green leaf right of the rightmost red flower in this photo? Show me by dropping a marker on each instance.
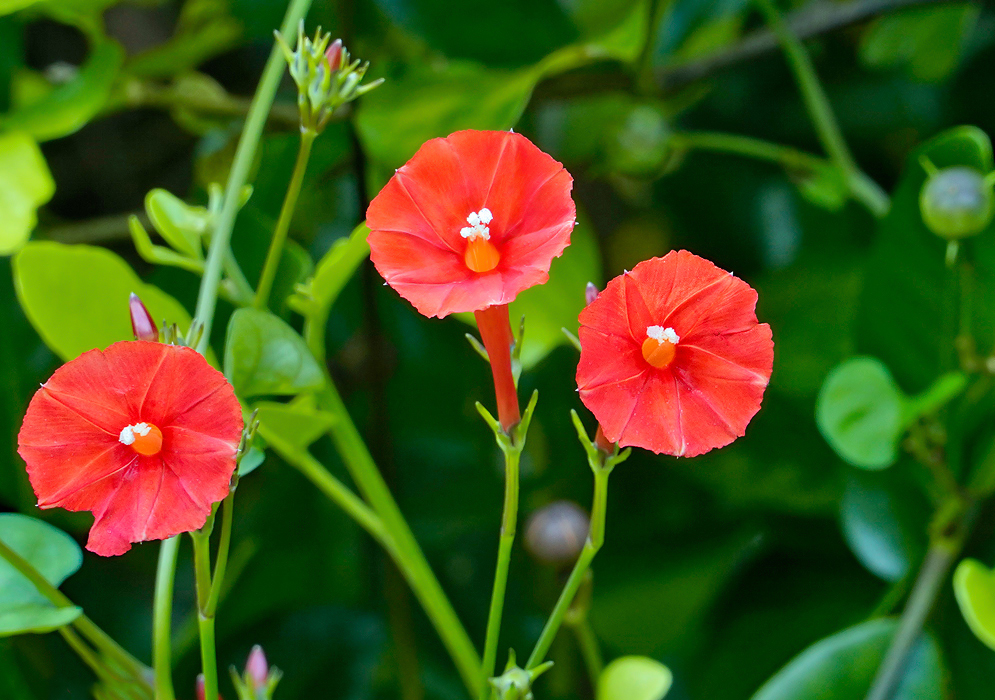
(860, 413)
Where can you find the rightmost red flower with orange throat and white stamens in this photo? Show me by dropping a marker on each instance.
(673, 359)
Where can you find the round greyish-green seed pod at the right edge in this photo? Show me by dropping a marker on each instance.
(956, 203)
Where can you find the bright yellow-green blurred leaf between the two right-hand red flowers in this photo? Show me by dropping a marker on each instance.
(555, 305)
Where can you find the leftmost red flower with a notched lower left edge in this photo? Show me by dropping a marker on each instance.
(142, 434)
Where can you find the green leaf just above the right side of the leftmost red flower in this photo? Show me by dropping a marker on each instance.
(263, 355)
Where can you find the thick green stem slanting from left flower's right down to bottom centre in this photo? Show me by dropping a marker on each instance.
(409, 556)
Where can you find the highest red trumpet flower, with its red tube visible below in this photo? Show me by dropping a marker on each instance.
(470, 221)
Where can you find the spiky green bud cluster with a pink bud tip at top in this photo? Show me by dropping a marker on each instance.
(326, 76)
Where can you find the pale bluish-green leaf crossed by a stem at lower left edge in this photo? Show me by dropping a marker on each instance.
(52, 552)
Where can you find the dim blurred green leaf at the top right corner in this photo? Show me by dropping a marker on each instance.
(926, 41)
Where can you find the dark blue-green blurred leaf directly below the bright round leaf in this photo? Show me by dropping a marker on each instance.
(884, 518)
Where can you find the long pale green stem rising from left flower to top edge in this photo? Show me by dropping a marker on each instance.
(241, 165)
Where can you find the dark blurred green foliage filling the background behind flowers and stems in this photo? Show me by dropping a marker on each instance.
(724, 567)
